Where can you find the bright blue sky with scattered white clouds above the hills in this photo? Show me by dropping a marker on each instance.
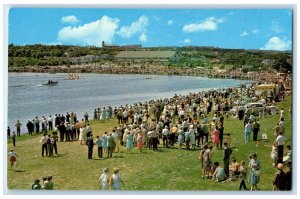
(265, 29)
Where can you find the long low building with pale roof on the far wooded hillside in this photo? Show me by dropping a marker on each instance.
(148, 56)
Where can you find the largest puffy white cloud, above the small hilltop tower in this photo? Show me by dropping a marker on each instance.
(92, 33)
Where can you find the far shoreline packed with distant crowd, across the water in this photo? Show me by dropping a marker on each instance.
(136, 69)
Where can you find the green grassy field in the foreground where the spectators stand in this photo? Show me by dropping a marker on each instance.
(169, 169)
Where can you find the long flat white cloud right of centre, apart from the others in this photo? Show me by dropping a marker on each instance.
(209, 24)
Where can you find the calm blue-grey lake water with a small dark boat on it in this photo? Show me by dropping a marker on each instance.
(27, 97)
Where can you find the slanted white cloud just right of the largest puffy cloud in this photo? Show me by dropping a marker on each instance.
(136, 27)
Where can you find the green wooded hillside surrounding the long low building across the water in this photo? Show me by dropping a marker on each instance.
(190, 56)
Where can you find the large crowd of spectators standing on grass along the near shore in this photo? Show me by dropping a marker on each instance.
(182, 119)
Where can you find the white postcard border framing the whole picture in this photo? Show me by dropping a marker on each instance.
(151, 3)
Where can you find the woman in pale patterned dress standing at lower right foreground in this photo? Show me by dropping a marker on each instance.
(254, 166)
